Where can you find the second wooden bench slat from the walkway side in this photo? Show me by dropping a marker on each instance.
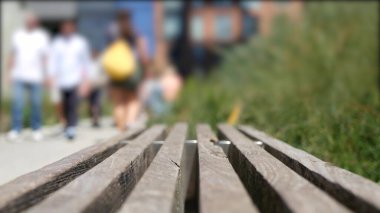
(104, 187)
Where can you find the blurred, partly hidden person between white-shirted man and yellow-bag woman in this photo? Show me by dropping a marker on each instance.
(97, 81)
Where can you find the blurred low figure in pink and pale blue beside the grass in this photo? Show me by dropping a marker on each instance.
(161, 89)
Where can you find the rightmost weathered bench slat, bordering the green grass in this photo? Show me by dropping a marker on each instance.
(356, 192)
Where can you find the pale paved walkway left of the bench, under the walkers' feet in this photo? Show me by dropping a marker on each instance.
(18, 158)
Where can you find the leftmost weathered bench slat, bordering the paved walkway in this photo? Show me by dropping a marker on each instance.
(29, 189)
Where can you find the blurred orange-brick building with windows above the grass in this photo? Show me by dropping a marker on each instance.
(189, 31)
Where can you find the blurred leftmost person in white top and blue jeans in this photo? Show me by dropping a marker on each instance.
(26, 71)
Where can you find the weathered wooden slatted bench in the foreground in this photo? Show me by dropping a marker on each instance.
(159, 169)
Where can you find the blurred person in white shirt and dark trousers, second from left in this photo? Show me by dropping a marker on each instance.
(68, 70)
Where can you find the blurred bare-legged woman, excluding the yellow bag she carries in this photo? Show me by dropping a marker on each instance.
(124, 93)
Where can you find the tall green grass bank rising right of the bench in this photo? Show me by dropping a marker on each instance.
(312, 84)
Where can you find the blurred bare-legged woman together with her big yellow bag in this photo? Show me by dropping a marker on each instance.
(123, 61)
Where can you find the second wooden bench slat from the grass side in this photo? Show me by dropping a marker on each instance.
(273, 186)
